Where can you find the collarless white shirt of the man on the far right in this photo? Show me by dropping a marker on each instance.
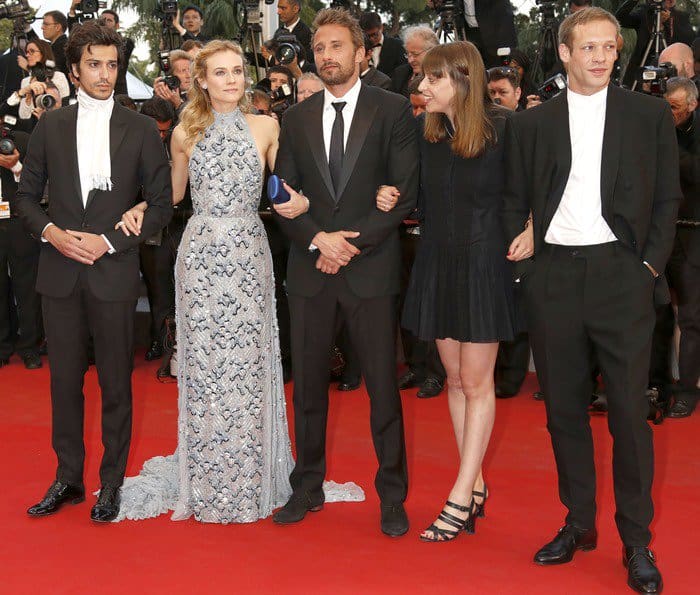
(578, 220)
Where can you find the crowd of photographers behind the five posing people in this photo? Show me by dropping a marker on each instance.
(37, 79)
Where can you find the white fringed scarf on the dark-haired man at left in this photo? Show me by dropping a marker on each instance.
(92, 139)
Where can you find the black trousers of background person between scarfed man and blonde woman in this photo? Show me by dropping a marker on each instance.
(158, 270)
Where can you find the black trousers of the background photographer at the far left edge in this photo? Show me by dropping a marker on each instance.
(19, 261)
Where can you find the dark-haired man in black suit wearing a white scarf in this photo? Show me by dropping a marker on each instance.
(95, 156)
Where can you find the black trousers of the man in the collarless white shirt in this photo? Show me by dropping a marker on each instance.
(595, 304)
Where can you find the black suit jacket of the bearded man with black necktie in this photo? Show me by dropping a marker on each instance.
(381, 149)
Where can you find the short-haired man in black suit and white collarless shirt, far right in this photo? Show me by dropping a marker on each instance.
(598, 168)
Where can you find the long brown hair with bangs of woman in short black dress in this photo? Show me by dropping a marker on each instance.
(474, 131)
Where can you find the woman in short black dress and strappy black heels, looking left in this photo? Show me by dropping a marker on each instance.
(460, 293)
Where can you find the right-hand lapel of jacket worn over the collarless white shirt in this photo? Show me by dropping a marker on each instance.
(612, 147)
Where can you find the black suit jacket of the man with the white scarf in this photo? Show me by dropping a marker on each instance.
(139, 162)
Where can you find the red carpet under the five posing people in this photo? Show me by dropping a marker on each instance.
(339, 550)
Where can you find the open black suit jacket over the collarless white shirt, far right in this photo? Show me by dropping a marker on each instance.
(640, 188)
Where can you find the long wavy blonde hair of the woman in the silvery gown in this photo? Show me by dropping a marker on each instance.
(198, 115)
